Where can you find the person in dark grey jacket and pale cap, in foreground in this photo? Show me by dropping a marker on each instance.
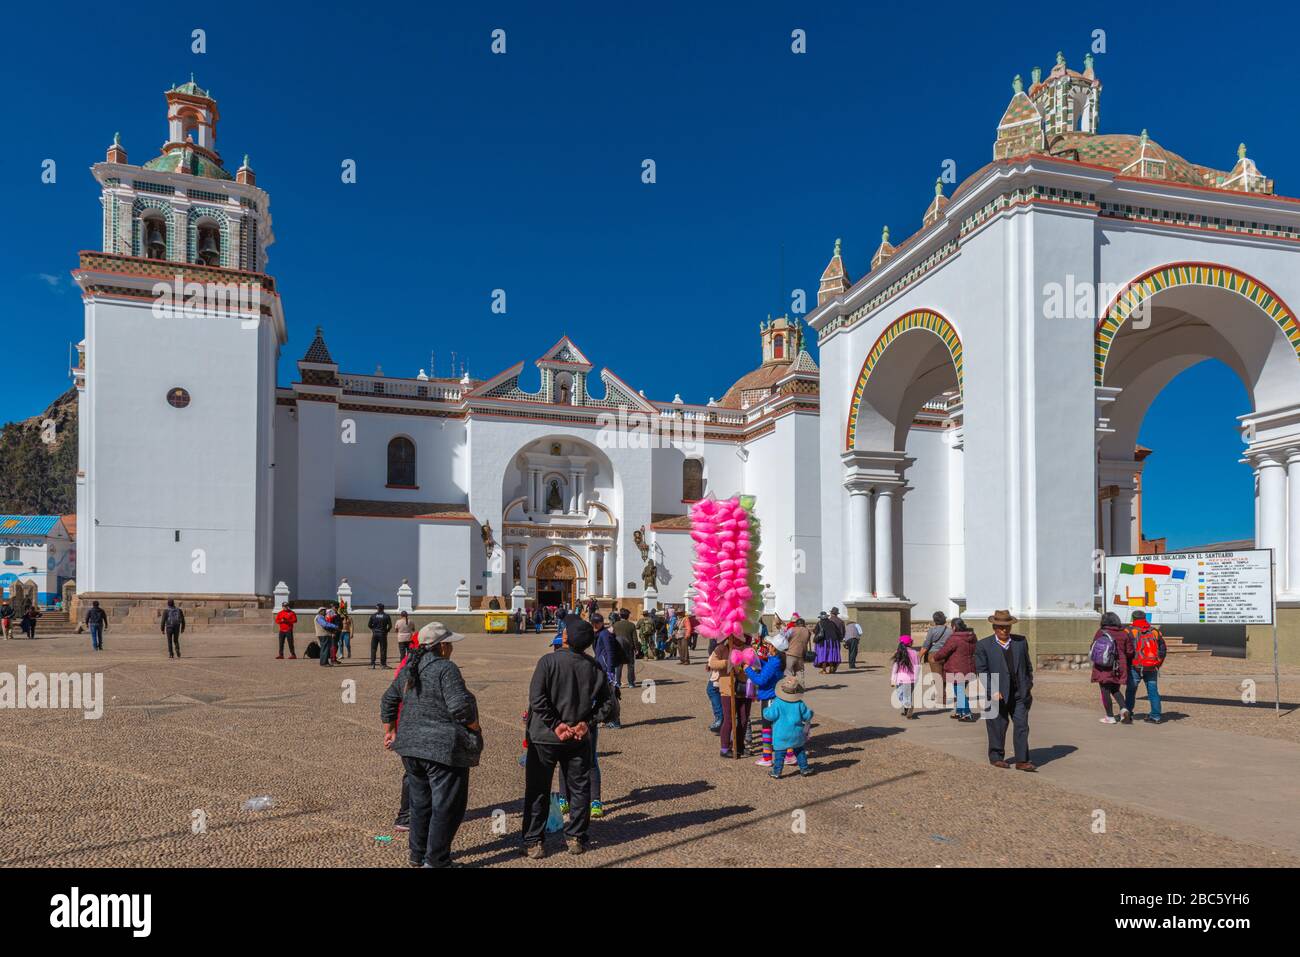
(439, 739)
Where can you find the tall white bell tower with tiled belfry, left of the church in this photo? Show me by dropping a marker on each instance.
(184, 327)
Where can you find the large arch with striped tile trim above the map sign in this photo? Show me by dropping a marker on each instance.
(1156, 340)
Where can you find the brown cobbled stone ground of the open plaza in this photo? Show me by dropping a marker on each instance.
(228, 724)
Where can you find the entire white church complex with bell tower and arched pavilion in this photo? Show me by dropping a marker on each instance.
(964, 443)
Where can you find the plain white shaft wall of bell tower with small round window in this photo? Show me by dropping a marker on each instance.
(154, 470)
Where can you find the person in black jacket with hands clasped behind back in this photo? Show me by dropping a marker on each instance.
(567, 695)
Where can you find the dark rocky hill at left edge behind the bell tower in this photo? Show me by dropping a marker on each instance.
(38, 461)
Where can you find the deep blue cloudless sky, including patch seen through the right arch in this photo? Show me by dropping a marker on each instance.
(522, 172)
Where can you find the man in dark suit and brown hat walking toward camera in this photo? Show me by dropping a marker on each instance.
(1006, 670)
